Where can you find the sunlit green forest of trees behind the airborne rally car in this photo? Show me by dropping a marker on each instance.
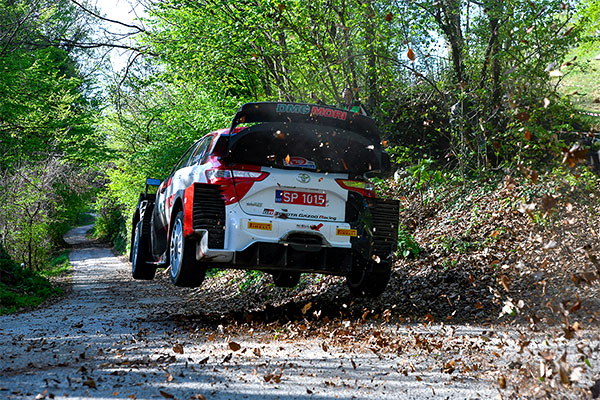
(464, 93)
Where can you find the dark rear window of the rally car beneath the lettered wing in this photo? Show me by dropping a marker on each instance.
(304, 146)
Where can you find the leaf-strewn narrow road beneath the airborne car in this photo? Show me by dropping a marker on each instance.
(116, 338)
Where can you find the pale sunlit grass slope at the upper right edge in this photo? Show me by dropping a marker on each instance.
(581, 81)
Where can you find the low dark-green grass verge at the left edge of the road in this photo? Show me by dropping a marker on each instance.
(20, 287)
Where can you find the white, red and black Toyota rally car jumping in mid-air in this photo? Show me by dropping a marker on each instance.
(283, 190)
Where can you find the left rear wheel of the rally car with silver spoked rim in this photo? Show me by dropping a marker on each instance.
(186, 271)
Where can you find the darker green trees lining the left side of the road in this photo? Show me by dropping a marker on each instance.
(47, 140)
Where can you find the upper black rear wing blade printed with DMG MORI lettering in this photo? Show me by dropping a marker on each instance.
(304, 113)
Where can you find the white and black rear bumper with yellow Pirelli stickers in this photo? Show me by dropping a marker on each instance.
(229, 237)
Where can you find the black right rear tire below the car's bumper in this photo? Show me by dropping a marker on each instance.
(368, 282)
